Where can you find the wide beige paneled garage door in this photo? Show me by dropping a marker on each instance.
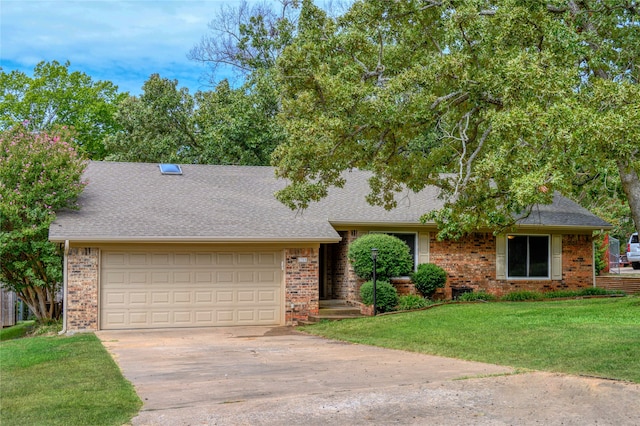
(190, 289)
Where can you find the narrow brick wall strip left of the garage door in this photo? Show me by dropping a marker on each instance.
(82, 289)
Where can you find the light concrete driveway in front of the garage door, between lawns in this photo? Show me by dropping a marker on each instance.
(265, 376)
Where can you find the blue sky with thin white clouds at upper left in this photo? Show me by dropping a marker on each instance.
(120, 41)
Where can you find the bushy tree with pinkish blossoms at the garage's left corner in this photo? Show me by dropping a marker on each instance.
(40, 173)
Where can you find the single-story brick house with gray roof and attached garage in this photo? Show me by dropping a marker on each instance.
(199, 245)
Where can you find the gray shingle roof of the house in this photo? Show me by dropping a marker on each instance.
(135, 202)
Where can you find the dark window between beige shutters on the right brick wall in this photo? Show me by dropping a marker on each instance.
(528, 256)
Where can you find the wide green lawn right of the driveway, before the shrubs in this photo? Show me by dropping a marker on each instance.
(596, 337)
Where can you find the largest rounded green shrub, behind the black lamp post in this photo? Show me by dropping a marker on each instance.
(394, 258)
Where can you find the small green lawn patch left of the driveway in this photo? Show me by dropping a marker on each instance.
(62, 381)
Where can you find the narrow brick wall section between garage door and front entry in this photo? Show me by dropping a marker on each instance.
(301, 284)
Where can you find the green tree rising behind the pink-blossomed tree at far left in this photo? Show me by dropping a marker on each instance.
(54, 96)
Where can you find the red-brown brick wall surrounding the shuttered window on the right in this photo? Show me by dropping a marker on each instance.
(471, 262)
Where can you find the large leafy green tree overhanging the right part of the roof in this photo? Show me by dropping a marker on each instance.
(499, 103)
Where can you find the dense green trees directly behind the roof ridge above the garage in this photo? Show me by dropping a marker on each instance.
(221, 126)
